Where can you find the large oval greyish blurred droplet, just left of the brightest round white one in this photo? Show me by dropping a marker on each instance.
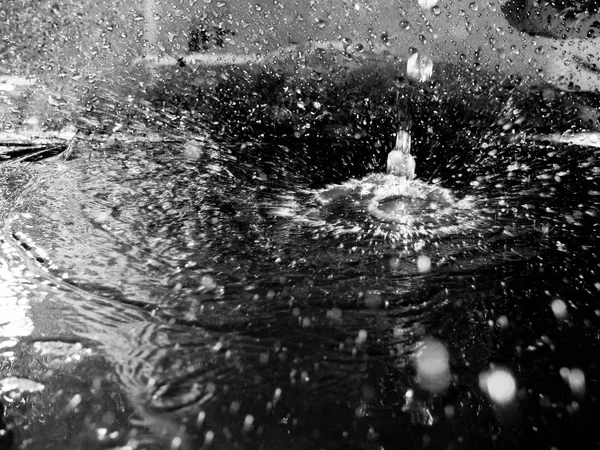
(433, 366)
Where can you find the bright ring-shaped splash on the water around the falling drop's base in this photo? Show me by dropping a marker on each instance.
(386, 205)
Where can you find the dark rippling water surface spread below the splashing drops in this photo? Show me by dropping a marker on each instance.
(201, 294)
